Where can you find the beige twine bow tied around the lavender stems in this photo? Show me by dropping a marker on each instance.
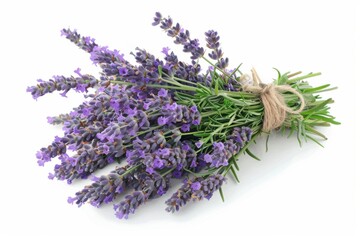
(275, 108)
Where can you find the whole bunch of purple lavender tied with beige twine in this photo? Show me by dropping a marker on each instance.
(169, 119)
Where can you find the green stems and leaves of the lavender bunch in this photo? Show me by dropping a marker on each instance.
(223, 110)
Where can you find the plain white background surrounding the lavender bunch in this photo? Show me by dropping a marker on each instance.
(293, 193)
